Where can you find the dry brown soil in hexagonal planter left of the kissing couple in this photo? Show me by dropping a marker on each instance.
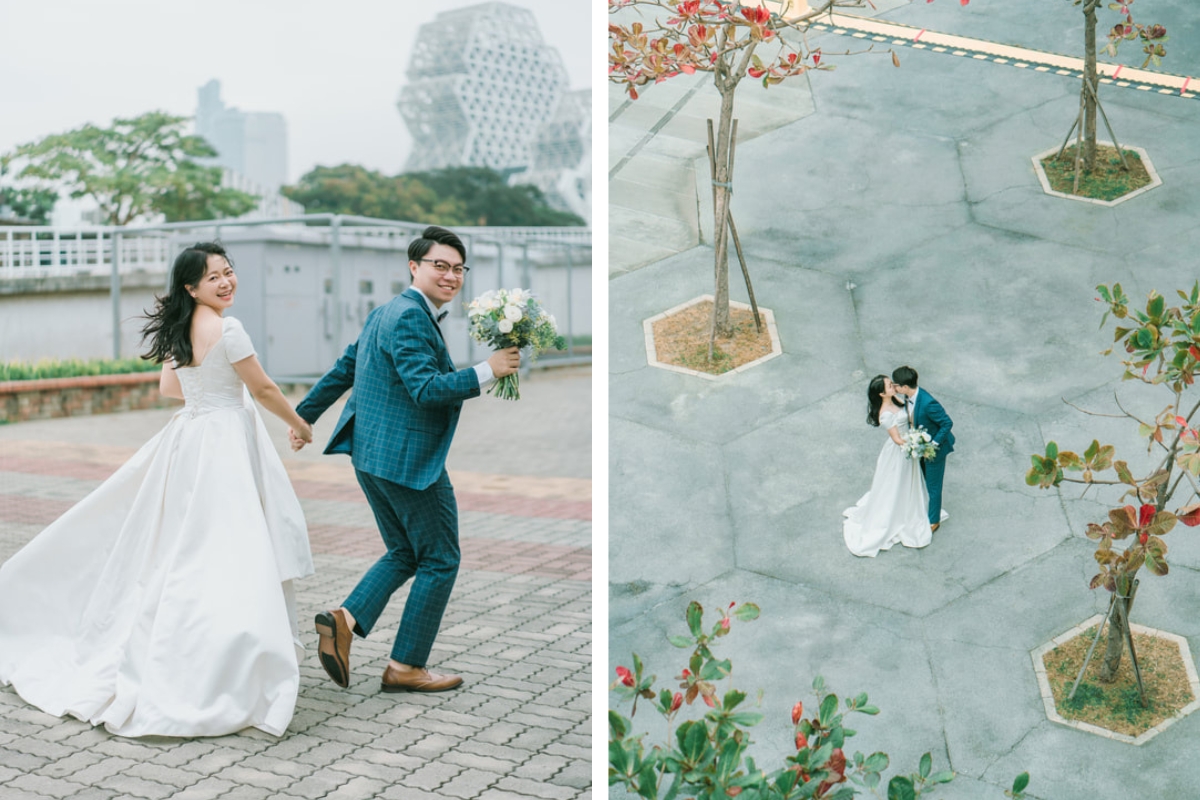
(682, 340)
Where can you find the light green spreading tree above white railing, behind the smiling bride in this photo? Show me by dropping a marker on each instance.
(134, 169)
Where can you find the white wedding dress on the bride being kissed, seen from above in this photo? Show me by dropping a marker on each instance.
(897, 507)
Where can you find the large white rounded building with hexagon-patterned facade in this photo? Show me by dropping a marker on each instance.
(482, 83)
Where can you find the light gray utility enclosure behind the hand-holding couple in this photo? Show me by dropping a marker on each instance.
(304, 293)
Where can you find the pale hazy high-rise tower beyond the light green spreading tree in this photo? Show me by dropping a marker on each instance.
(253, 145)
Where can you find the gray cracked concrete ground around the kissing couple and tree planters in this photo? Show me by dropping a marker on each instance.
(893, 216)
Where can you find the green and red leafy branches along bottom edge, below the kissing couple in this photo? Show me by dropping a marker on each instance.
(707, 759)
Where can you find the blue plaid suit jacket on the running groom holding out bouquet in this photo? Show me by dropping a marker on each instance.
(404, 410)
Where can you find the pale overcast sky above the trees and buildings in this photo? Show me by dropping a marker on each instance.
(333, 68)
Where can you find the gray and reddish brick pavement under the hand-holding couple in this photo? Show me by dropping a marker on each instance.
(518, 628)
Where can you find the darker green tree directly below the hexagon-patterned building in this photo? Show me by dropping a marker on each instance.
(490, 201)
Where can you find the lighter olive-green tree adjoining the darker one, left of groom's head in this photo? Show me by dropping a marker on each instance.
(350, 189)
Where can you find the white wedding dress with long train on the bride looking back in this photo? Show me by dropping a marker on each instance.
(161, 604)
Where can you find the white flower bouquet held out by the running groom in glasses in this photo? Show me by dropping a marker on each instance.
(505, 318)
